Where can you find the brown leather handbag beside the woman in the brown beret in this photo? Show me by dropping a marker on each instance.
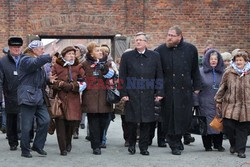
(56, 107)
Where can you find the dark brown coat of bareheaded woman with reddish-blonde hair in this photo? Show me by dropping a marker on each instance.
(94, 97)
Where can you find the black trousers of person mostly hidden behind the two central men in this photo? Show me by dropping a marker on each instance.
(161, 136)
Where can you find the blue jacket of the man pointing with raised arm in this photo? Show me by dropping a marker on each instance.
(32, 80)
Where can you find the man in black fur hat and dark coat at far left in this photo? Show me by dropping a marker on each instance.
(8, 84)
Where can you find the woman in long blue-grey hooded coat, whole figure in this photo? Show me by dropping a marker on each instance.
(211, 74)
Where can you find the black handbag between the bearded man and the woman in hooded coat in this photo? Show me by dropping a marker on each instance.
(198, 124)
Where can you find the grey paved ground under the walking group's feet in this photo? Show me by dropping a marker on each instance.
(116, 155)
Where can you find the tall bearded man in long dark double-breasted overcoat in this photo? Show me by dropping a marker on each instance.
(181, 78)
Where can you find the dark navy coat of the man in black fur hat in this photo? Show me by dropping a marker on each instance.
(9, 83)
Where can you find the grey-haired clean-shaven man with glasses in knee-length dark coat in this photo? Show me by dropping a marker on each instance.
(141, 72)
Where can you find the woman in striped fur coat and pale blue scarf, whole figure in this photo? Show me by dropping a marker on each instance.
(233, 102)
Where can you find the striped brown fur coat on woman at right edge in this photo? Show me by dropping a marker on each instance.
(234, 95)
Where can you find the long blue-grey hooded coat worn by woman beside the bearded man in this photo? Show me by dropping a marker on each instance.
(210, 83)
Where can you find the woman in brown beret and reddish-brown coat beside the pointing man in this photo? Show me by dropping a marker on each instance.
(68, 72)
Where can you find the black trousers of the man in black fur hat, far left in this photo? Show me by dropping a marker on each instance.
(12, 129)
